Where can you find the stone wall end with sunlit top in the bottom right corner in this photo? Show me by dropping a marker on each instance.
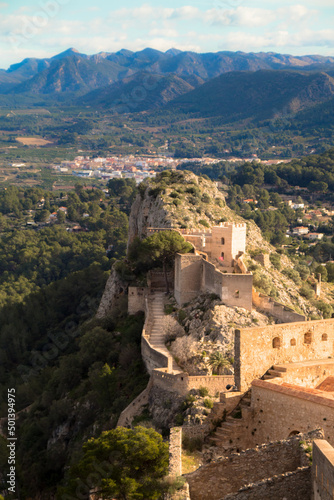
(323, 470)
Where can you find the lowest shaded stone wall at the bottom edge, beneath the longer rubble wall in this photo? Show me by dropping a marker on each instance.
(294, 485)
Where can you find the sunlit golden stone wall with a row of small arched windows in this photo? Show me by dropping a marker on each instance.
(255, 354)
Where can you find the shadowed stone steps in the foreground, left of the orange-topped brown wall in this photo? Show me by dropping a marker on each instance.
(224, 435)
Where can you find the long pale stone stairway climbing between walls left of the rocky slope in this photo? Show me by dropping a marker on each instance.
(156, 330)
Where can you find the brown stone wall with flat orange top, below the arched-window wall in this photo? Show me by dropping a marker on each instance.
(279, 410)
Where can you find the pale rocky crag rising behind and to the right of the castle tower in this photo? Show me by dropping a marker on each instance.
(187, 202)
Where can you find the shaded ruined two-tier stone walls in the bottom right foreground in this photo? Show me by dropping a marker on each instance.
(274, 470)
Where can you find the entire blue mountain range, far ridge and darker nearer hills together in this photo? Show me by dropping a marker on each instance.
(234, 85)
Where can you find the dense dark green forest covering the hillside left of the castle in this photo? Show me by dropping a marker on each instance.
(74, 373)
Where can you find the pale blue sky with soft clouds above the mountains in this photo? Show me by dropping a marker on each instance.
(43, 28)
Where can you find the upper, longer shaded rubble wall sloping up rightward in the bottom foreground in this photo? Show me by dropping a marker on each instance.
(229, 474)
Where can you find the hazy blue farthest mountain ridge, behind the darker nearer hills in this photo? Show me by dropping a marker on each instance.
(73, 70)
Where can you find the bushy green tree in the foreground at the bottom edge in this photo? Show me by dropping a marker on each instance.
(122, 464)
